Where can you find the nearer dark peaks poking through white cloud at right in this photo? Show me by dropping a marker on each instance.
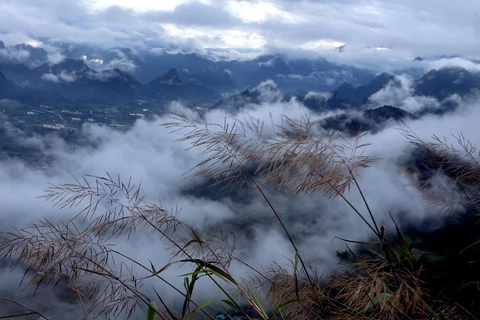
(356, 113)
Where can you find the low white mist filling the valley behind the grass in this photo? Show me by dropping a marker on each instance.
(151, 155)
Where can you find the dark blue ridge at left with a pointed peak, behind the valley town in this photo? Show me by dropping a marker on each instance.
(73, 80)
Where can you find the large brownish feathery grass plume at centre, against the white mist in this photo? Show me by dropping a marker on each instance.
(292, 157)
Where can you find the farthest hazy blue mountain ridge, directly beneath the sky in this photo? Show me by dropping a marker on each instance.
(291, 75)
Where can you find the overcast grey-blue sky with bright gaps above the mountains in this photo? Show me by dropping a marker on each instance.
(388, 30)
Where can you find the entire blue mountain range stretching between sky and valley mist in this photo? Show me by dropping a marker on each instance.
(120, 76)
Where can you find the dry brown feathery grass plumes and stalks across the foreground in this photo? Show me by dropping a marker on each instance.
(292, 157)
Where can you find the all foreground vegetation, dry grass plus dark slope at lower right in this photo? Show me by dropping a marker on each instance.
(409, 273)
